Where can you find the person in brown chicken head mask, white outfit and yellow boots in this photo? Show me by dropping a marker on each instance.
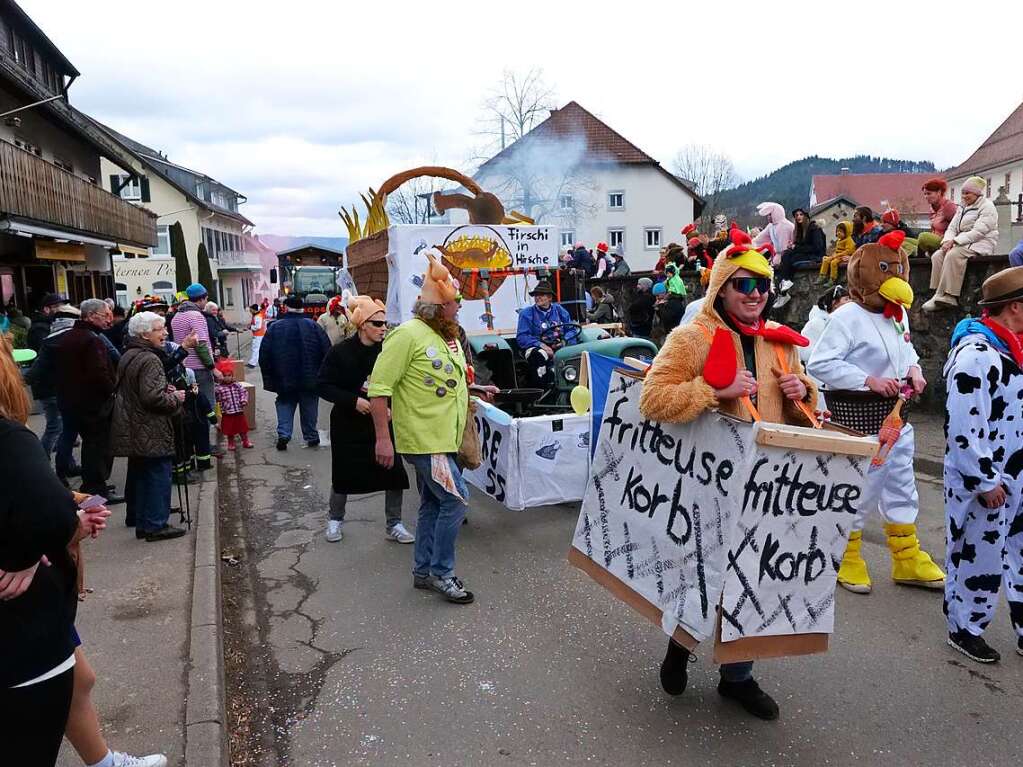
(868, 368)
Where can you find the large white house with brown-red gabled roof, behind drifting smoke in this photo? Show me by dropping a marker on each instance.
(576, 172)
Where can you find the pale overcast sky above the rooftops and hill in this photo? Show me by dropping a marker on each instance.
(301, 105)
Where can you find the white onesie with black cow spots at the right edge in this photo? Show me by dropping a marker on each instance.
(984, 449)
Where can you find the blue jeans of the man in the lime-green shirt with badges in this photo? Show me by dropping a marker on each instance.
(440, 518)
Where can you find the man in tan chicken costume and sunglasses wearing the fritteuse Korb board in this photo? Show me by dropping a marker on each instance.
(730, 358)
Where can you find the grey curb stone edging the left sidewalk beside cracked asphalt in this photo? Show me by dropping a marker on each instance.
(206, 720)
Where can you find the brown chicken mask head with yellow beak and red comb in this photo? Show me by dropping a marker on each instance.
(879, 276)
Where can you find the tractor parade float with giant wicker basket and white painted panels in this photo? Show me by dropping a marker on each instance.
(536, 443)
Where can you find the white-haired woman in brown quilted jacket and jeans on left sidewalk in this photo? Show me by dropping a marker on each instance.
(143, 428)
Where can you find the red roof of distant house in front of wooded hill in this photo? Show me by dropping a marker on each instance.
(879, 192)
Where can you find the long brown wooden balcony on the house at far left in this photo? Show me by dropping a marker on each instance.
(35, 190)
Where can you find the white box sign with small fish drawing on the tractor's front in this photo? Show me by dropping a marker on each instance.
(531, 463)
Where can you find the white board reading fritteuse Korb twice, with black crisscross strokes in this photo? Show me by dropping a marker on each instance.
(699, 517)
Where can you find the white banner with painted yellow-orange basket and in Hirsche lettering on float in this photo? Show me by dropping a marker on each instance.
(470, 247)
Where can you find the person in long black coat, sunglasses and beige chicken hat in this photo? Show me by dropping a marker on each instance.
(344, 379)
